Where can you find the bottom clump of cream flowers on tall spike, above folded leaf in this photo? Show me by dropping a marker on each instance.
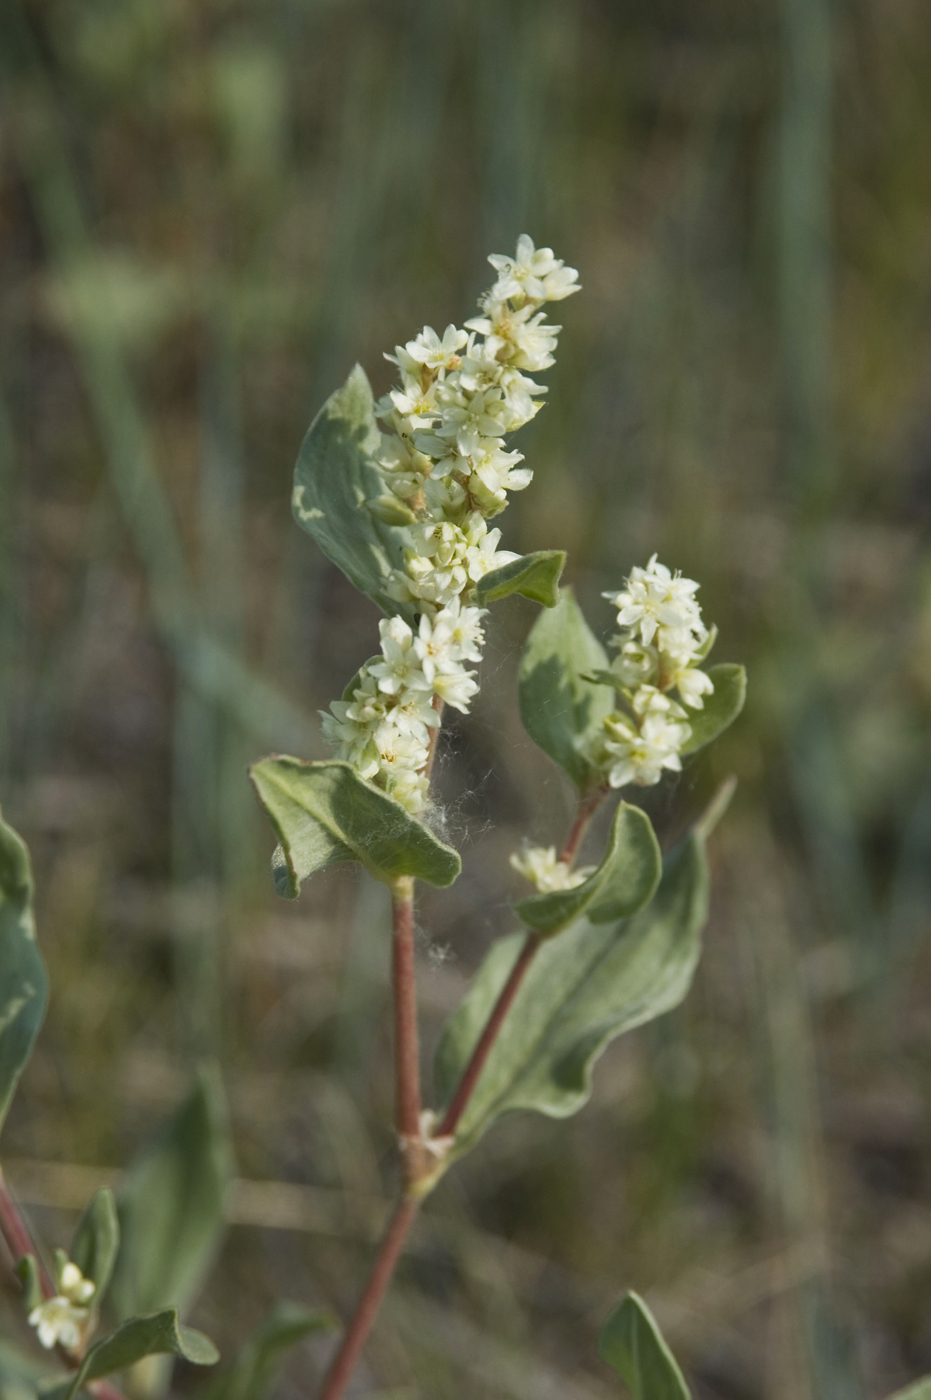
(384, 727)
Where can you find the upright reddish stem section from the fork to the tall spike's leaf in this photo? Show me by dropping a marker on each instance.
(407, 1038)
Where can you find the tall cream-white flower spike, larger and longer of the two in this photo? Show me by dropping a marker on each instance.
(446, 475)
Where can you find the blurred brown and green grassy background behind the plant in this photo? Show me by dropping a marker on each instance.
(209, 209)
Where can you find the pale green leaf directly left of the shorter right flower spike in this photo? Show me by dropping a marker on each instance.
(562, 712)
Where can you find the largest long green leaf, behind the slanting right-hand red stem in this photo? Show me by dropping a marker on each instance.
(582, 990)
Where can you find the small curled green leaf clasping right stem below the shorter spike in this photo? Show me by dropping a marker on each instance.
(625, 881)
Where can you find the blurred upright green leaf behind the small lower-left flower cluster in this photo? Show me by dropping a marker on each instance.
(171, 1206)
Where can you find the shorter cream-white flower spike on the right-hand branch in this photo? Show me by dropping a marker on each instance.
(659, 652)
